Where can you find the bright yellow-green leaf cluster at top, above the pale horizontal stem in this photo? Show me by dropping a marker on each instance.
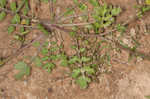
(102, 15)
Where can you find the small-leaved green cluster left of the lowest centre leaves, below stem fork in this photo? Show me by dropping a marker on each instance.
(49, 55)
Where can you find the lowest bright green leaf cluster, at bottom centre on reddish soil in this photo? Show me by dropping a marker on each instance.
(82, 70)
